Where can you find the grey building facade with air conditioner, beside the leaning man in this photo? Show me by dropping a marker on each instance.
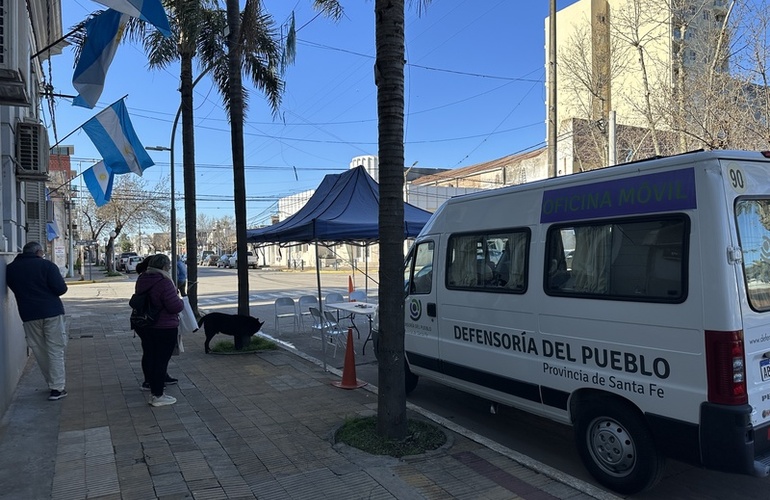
(29, 30)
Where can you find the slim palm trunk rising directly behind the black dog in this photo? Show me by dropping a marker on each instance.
(235, 91)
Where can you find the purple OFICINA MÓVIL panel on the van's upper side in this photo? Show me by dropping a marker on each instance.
(660, 192)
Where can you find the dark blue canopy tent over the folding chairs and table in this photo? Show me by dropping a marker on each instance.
(344, 209)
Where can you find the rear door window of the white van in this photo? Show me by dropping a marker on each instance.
(753, 218)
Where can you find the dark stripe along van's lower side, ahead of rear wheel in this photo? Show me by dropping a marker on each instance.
(518, 388)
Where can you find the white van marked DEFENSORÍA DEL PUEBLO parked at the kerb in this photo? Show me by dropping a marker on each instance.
(632, 302)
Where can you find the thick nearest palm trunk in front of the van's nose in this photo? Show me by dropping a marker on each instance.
(389, 78)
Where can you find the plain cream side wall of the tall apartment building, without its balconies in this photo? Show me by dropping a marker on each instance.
(598, 67)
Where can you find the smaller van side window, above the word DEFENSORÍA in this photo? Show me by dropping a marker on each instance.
(490, 262)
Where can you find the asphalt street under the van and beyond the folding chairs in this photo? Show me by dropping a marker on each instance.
(536, 437)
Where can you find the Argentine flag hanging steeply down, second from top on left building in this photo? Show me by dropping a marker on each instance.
(103, 34)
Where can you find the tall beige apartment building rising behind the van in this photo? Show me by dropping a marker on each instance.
(626, 63)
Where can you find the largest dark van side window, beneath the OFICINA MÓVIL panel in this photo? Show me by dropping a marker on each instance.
(643, 259)
